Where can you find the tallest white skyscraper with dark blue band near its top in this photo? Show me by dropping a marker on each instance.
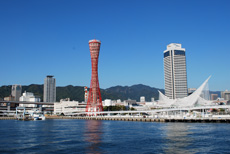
(175, 73)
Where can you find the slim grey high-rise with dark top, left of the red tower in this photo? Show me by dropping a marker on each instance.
(49, 89)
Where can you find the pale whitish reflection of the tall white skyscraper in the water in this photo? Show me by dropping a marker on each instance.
(178, 138)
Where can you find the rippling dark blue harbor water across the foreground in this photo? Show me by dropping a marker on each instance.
(103, 137)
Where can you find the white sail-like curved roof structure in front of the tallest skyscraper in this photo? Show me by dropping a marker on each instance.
(191, 100)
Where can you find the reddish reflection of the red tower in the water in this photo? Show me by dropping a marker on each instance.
(93, 133)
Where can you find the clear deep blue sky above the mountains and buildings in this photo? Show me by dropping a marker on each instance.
(50, 37)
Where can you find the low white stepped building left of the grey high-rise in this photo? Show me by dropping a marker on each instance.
(29, 97)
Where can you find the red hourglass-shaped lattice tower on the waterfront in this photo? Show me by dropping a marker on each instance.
(94, 103)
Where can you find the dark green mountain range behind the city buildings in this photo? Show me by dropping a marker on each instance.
(77, 92)
